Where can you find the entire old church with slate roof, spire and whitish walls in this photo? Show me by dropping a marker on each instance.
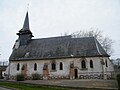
(62, 57)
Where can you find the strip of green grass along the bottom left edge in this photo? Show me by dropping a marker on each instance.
(21, 86)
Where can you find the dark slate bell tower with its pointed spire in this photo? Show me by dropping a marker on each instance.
(25, 35)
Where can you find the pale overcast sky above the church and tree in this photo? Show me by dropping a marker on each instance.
(49, 18)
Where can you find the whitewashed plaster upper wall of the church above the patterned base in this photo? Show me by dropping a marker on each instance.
(97, 67)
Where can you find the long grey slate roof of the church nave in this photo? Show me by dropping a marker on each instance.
(59, 47)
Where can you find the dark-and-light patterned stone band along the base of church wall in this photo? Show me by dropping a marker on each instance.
(80, 76)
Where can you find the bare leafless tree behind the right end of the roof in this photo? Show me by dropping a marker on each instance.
(105, 41)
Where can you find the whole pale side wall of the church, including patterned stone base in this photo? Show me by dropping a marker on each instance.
(96, 72)
